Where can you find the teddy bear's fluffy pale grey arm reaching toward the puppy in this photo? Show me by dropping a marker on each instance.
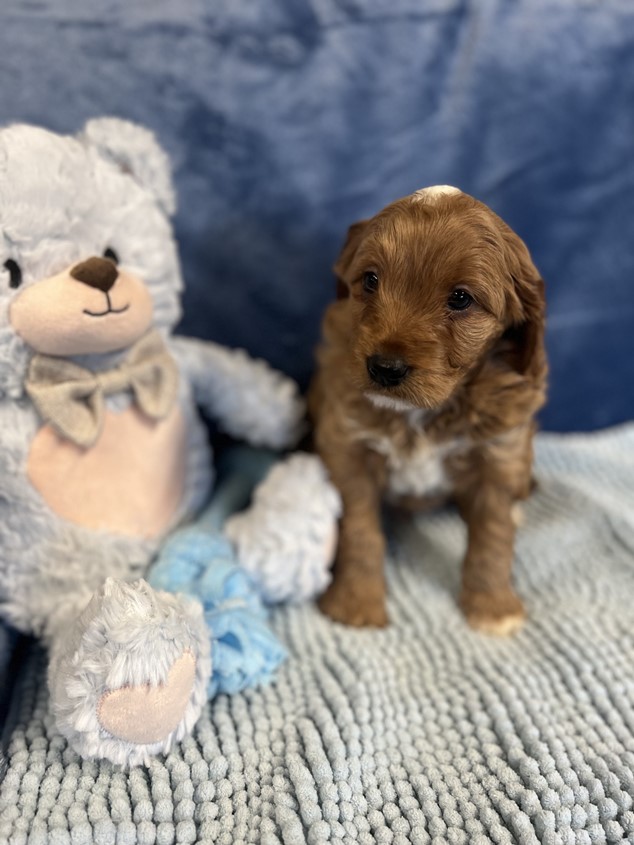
(247, 398)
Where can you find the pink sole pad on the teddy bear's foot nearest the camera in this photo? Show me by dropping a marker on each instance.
(146, 714)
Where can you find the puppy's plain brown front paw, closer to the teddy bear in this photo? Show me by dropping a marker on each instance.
(357, 602)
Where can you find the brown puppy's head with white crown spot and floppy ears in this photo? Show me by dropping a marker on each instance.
(436, 282)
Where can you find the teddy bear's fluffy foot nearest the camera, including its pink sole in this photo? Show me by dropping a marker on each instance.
(129, 678)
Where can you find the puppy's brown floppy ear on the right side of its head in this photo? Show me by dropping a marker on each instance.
(522, 344)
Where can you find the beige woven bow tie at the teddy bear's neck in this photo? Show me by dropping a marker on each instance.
(71, 398)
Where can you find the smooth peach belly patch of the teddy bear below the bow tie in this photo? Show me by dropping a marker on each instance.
(130, 482)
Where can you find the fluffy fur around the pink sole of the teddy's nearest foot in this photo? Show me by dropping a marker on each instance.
(128, 635)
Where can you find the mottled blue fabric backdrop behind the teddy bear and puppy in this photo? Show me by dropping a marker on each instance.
(287, 120)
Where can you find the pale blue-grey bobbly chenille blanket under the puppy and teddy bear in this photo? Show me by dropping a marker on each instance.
(424, 732)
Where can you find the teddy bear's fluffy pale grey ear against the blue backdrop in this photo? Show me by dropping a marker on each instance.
(135, 150)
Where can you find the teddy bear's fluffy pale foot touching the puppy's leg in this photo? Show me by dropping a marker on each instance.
(287, 538)
